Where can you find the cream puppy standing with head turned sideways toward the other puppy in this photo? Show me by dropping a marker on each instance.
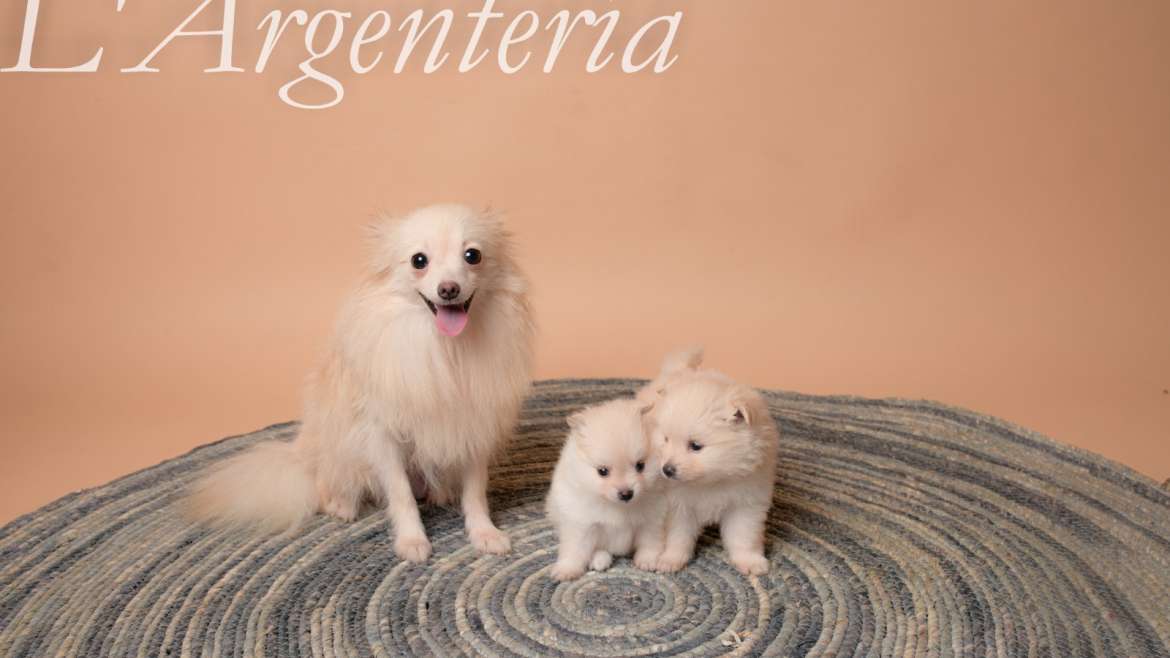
(717, 444)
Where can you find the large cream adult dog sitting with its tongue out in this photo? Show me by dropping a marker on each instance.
(415, 397)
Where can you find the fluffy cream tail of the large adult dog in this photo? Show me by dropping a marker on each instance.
(269, 488)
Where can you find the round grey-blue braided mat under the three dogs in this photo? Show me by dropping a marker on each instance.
(900, 529)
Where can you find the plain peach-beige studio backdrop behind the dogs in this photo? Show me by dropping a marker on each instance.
(966, 202)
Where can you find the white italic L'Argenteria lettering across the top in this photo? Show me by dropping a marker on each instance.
(363, 42)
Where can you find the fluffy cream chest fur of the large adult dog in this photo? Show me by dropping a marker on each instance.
(448, 401)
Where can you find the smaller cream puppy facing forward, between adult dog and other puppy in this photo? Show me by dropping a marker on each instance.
(602, 502)
